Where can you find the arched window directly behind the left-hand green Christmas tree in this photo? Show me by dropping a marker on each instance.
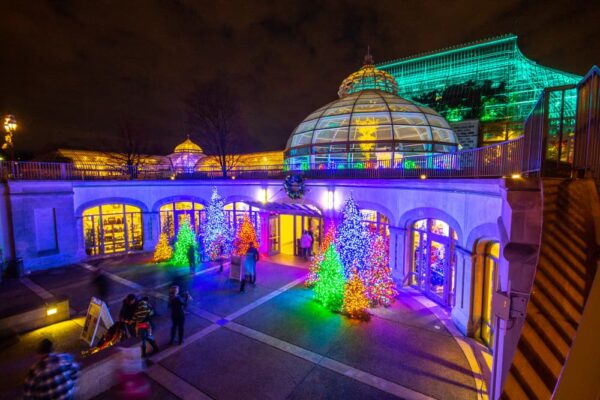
(174, 213)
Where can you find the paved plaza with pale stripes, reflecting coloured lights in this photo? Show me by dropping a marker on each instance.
(272, 342)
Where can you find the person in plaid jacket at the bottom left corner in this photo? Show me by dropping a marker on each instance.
(53, 376)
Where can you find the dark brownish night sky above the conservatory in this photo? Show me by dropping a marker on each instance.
(72, 71)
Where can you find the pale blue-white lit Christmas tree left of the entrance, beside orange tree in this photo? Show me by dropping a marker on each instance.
(217, 233)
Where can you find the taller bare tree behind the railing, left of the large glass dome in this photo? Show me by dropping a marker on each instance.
(214, 117)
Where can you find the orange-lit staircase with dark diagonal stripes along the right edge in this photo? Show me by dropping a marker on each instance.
(562, 281)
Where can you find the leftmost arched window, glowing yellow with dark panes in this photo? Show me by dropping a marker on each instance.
(112, 228)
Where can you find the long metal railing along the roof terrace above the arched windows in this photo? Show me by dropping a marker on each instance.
(502, 159)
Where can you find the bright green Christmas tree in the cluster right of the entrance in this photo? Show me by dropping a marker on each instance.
(329, 288)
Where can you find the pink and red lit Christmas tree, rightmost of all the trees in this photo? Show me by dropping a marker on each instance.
(377, 277)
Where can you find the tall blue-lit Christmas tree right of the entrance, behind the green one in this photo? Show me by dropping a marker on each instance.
(352, 239)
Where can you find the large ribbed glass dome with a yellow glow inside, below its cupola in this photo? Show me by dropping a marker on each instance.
(365, 129)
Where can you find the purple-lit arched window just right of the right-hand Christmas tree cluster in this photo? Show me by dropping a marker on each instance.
(433, 259)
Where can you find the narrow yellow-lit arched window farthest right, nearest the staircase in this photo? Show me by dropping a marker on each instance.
(490, 271)
